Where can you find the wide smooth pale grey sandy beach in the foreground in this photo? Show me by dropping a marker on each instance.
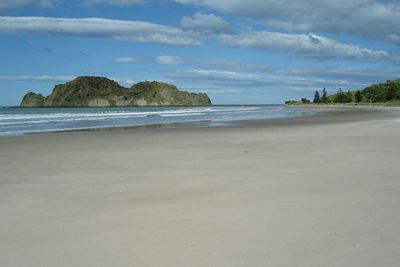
(312, 191)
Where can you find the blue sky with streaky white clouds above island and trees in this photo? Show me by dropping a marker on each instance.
(236, 51)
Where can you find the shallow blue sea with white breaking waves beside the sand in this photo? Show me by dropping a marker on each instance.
(17, 121)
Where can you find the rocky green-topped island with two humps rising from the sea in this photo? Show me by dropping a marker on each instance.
(102, 92)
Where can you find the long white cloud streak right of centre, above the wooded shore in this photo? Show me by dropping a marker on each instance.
(302, 45)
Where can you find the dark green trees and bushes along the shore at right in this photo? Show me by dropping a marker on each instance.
(387, 93)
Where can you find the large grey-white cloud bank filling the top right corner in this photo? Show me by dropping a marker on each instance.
(376, 19)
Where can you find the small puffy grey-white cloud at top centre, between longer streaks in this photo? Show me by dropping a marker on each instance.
(208, 23)
